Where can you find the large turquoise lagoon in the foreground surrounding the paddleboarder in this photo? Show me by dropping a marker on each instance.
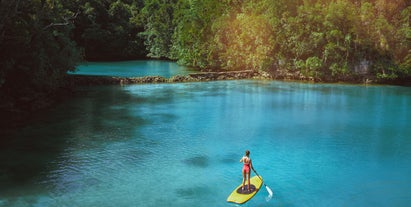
(179, 145)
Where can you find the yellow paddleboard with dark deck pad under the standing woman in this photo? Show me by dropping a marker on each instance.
(241, 196)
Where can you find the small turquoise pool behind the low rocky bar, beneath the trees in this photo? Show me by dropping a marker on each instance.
(137, 68)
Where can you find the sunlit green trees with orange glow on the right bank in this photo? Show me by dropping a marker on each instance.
(328, 40)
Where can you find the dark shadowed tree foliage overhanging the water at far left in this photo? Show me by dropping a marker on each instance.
(36, 44)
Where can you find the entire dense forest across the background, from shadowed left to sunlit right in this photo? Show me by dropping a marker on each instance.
(329, 40)
